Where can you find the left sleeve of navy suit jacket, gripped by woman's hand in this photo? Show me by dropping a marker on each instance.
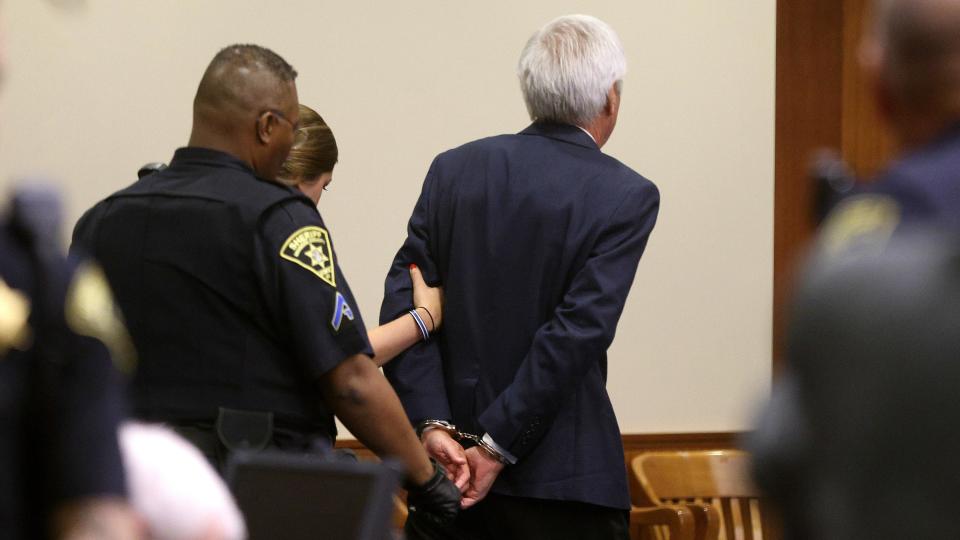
(417, 374)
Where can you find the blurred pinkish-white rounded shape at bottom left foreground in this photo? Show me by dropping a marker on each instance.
(174, 489)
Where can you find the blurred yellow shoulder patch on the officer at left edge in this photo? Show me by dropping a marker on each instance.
(90, 311)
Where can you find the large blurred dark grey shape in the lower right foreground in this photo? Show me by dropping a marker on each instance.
(861, 439)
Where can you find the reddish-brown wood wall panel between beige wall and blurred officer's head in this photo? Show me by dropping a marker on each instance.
(824, 100)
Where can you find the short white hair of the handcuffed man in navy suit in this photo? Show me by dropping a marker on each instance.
(568, 67)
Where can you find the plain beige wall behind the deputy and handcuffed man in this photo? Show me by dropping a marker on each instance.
(97, 89)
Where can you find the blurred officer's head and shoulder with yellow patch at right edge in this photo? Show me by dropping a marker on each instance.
(912, 56)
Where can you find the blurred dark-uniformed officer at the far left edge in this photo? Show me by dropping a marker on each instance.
(61, 396)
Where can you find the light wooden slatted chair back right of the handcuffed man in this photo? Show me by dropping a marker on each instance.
(714, 486)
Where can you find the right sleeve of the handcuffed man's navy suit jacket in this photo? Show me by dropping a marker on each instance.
(580, 331)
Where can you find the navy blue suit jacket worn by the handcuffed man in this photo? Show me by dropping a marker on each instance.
(536, 239)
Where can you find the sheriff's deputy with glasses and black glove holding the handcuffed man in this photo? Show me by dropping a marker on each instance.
(247, 331)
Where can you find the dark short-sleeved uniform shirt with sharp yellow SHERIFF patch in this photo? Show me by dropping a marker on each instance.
(231, 289)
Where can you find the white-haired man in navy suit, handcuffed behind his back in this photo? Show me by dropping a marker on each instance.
(536, 239)
